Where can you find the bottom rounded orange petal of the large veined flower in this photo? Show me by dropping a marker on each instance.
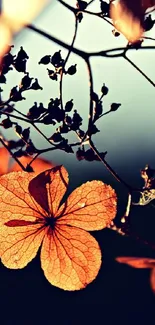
(70, 258)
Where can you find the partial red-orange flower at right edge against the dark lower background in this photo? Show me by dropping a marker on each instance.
(141, 263)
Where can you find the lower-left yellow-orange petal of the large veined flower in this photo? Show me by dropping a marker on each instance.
(19, 245)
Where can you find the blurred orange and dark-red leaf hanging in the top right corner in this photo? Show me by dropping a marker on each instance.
(127, 16)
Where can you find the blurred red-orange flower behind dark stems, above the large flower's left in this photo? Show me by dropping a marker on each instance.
(38, 165)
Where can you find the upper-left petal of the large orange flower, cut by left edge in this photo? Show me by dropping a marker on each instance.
(15, 200)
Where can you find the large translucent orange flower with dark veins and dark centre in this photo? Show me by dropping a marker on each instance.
(31, 216)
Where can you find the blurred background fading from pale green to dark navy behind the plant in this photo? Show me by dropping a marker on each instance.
(129, 137)
